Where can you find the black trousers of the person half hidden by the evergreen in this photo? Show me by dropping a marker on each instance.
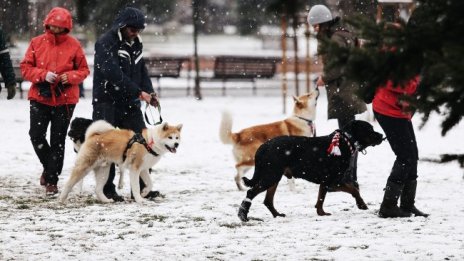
(400, 135)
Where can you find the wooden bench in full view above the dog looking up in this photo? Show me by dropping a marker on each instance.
(243, 68)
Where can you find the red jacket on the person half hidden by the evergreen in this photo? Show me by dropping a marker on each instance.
(386, 100)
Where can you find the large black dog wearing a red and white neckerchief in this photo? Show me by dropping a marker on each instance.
(321, 160)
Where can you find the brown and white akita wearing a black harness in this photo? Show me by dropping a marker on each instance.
(105, 144)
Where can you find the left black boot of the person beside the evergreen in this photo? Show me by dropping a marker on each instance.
(389, 207)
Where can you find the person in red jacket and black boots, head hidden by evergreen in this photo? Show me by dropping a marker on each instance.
(394, 116)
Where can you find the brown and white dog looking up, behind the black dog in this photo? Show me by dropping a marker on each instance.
(247, 141)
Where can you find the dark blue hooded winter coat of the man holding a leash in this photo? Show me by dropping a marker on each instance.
(120, 73)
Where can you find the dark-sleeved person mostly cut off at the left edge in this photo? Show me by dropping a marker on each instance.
(6, 68)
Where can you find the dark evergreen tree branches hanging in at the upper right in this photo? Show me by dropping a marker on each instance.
(431, 44)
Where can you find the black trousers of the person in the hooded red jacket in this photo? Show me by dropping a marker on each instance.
(51, 155)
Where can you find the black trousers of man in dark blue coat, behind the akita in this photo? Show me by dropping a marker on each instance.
(122, 117)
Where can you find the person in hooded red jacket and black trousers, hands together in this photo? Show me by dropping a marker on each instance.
(55, 64)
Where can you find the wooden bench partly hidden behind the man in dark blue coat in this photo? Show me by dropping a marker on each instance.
(165, 66)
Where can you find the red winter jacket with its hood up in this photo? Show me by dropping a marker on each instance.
(56, 53)
